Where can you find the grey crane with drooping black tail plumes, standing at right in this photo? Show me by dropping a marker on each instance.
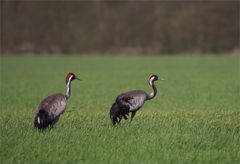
(131, 101)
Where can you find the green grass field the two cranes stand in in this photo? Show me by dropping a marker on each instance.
(195, 118)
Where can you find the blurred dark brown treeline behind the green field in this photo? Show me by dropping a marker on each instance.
(119, 26)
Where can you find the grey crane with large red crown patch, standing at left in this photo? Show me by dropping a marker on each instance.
(50, 109)
